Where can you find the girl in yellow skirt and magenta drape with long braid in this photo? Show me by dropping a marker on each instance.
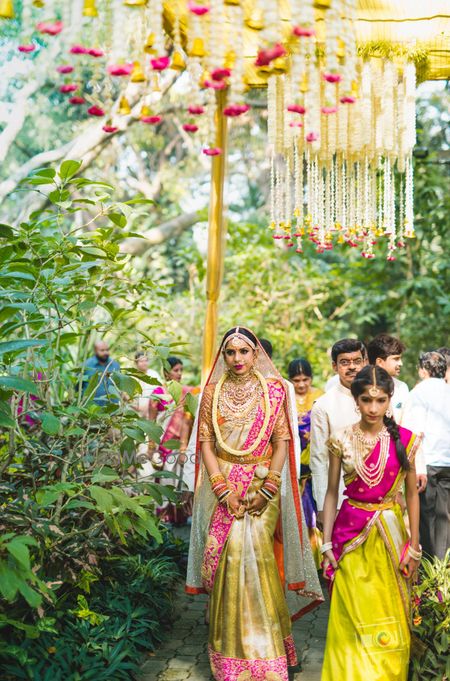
(367, 553)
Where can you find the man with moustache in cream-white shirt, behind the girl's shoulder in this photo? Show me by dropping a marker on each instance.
(333, 410)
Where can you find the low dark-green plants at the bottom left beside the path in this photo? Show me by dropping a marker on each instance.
(102, 633)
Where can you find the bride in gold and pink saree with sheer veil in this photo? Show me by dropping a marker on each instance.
(249, 546)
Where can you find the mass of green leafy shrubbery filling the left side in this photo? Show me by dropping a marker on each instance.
(75, 522)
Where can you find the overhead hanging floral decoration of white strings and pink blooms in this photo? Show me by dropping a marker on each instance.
(340, 127)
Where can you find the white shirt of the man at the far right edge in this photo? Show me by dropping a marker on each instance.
(427, 411)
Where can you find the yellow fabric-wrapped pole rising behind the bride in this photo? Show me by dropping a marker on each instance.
(216, 237)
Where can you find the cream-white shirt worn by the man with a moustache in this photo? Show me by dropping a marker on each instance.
(332, 411)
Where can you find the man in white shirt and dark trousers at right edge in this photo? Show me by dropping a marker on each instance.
(428, 410)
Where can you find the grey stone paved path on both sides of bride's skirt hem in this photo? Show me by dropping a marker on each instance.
(184, 658)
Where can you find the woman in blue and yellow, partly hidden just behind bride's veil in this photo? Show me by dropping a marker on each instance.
(300, 375)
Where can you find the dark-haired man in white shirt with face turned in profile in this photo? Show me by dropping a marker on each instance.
(386, 352)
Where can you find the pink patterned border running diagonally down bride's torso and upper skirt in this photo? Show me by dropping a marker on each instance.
(240, 477)
